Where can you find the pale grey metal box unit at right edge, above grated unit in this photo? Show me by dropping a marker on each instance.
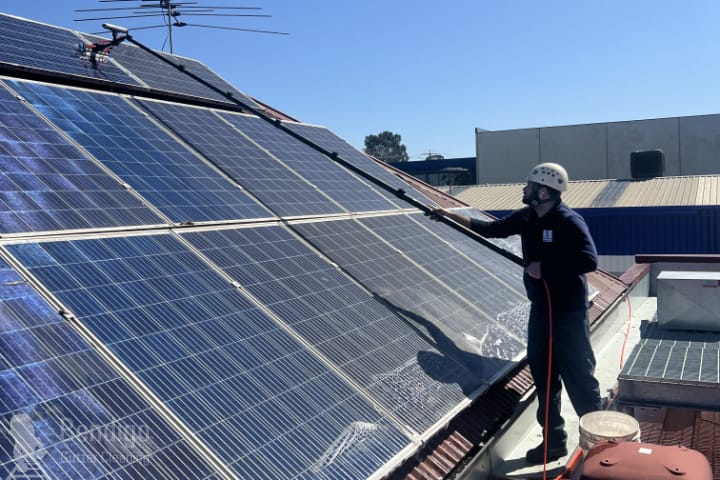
(689, 300)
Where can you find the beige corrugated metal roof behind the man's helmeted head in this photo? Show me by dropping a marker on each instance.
(700, 190)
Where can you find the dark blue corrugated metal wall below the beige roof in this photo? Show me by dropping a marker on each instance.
(649, 230)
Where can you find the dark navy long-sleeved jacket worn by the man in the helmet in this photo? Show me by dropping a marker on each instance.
(561, 242)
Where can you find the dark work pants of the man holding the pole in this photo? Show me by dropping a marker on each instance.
(573, 361)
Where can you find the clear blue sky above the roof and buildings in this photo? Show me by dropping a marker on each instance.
(433, 71)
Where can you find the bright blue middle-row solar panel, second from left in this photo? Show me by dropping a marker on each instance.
(175, 181)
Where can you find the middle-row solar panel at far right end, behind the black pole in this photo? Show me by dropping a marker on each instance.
(332, 143)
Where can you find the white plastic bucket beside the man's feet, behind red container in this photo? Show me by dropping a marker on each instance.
(601, 426)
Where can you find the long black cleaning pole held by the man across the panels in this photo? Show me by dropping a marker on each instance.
(400, 193)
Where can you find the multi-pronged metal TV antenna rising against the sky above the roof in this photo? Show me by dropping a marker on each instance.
(170, 12)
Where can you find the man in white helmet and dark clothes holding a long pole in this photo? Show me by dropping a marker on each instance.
(557, 253)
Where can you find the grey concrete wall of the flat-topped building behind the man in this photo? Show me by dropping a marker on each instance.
(691, 146)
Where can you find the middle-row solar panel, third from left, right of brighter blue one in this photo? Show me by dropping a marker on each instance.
(281, 189)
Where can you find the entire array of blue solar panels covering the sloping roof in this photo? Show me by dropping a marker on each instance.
(229, 298)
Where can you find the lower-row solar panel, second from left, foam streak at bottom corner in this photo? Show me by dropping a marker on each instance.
(262, 402)
